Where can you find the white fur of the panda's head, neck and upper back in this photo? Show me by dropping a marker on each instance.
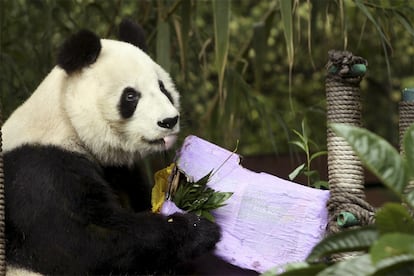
(79, 111)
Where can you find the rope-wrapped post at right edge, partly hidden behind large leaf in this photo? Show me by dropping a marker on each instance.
(406, 112)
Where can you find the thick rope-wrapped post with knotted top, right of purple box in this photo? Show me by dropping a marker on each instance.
(346, 206)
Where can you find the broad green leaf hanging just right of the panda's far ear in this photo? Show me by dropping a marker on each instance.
(163, 44)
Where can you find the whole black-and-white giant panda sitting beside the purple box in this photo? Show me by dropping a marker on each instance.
(75, 203)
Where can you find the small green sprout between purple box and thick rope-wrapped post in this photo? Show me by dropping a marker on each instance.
(304, 143)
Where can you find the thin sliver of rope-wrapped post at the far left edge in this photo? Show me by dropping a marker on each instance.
(2, 208)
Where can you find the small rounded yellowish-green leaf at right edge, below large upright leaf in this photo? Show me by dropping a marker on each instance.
(394, 217)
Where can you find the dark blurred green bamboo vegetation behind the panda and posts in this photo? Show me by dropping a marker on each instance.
(247, 70)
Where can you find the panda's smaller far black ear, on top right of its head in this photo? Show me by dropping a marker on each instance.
(132, 33)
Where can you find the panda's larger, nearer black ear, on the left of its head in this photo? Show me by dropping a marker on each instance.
(78, 51)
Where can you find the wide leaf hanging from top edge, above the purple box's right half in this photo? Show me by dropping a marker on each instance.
(286, 13)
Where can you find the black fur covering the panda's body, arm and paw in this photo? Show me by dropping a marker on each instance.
(65, 216)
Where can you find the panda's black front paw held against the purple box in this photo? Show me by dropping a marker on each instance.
(194, 235)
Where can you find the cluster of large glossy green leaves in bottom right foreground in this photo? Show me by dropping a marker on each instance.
(387, 247)
